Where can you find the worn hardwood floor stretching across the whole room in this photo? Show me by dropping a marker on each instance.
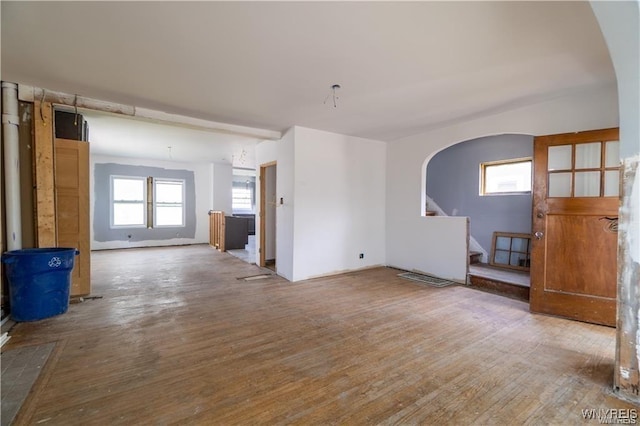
(177, 339)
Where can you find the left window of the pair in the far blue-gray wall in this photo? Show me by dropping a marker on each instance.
(128, 196)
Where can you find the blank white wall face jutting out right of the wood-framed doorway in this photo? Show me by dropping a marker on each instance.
(339, 203)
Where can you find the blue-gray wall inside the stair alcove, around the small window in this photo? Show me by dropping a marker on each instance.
(453, 183)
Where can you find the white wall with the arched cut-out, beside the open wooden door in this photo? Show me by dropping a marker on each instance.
(432, 244)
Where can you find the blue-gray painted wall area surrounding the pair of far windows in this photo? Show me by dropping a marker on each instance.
(102, 188)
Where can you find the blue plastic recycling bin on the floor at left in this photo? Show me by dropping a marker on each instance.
(39, 281)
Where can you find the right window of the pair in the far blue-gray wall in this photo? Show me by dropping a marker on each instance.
(168, 202)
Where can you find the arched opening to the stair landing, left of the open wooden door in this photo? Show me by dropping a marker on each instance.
(488, 180)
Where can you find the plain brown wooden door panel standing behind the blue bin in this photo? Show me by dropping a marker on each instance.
(72, 208)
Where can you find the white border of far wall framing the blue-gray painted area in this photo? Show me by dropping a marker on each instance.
(203, 178)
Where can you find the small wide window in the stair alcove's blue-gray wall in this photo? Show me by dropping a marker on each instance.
(505, 177)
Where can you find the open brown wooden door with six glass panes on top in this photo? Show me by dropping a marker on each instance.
(575, 210)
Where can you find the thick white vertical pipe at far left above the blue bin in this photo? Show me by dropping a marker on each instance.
(10, 122)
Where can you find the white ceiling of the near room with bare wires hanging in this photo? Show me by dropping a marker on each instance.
(404, 67)
